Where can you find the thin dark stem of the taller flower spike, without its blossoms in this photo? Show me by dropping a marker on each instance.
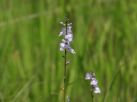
(65, 68)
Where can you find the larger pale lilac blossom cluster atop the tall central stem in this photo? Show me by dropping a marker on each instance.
(66, 32)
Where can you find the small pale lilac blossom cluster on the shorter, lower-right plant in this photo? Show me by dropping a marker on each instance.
(93, 82)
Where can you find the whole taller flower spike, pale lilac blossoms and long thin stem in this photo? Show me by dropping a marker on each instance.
(66, 32)
